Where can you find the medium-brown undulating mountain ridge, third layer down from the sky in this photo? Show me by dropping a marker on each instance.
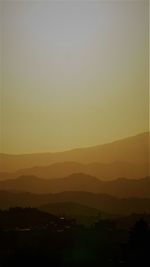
(79, 182)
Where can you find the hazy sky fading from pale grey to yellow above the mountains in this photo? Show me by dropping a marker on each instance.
(73, 74)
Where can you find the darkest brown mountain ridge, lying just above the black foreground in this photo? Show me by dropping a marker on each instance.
(71, 201)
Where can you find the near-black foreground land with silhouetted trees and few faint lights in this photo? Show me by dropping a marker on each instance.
(29, 237)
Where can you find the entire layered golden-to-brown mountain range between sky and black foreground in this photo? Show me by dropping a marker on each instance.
(111, 178)
